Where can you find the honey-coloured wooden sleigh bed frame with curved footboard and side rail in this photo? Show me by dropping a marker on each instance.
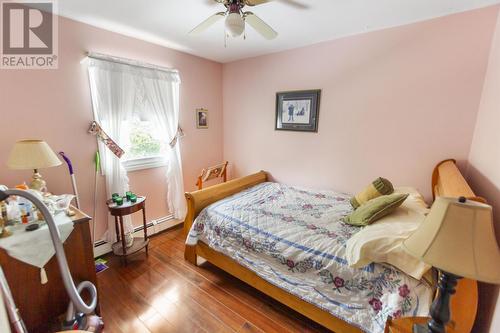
(446, 181)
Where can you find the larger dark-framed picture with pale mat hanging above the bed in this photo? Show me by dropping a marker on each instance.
(298, 110)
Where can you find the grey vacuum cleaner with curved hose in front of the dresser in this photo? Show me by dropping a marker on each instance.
(79, 315)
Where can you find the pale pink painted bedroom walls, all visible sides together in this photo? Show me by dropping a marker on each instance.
(394, 102)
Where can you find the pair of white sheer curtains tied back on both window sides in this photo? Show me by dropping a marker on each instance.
(116, 89)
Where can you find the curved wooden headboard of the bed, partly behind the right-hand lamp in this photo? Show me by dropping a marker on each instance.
(448, 181)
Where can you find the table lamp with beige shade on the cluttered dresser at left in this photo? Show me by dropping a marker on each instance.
(33, 154)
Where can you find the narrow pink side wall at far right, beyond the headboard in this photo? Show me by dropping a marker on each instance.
(484, 172)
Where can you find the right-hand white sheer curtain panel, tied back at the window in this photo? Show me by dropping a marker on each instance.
(162, 93)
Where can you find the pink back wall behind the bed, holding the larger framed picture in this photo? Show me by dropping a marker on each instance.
(394, 103)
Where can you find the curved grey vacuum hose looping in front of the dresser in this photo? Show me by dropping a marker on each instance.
(71, 289)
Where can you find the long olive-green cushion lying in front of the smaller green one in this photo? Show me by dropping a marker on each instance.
(375, 209)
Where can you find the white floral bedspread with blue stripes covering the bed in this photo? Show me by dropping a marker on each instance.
(294, 239)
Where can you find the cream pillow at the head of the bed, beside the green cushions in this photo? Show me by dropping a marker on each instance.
(381, 242)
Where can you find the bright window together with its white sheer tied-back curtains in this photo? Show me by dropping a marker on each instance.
(137, 105)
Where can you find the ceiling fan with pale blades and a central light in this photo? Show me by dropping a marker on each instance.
(236, 18)
